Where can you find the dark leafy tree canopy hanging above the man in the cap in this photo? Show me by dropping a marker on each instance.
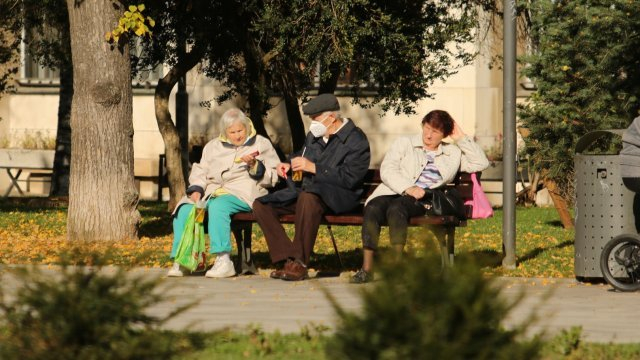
(400, 47)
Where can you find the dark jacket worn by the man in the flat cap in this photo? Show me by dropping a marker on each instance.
(341, 165)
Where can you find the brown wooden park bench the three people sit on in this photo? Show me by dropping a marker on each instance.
(443, 227)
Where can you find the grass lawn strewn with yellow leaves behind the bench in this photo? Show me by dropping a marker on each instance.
(33, 231)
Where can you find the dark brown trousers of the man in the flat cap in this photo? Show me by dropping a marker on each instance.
(308, 210)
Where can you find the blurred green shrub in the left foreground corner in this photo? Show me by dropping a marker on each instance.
(85, 313)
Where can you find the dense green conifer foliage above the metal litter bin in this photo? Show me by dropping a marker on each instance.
(586, 66)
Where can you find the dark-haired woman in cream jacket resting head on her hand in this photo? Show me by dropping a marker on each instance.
(413, 164)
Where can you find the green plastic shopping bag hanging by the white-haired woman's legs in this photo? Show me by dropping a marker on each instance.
(191, 250)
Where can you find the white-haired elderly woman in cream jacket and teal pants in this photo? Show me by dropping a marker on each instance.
(235, 169)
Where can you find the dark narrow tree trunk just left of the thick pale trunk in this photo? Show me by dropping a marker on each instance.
(62, 160)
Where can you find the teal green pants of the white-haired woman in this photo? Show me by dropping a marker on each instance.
(219, 210)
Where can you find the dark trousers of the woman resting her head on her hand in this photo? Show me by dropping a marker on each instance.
(394, 210)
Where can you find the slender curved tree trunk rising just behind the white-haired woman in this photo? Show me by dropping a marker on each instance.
(168, 130)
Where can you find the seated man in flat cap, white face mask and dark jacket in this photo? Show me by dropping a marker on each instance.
(334, 161)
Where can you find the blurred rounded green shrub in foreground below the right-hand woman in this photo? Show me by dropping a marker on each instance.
(416, 311)
